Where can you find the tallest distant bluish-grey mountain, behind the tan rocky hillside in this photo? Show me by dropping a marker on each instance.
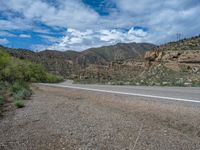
(106, 54)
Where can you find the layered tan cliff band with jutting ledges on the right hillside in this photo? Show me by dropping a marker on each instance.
(182, 60)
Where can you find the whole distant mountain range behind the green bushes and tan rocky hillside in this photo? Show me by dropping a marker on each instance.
(70, 62)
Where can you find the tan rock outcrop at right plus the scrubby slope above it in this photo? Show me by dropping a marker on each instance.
(175, 55)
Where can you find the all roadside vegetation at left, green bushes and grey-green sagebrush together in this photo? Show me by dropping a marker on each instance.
(15, 76)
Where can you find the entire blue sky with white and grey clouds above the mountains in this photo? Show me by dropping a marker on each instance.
(82, 24)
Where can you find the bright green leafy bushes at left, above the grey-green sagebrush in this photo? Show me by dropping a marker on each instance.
(12, 70)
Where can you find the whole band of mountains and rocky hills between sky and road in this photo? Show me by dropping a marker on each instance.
(172, 64)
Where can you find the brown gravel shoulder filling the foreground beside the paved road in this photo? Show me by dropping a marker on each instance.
(58, 118)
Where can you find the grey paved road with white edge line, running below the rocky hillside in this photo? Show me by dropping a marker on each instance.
(187, 94)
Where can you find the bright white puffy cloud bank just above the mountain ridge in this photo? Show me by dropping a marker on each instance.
(81, 40)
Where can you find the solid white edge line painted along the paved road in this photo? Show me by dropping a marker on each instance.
(125, 93)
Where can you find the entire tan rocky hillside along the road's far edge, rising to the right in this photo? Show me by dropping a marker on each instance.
(172, 64)
